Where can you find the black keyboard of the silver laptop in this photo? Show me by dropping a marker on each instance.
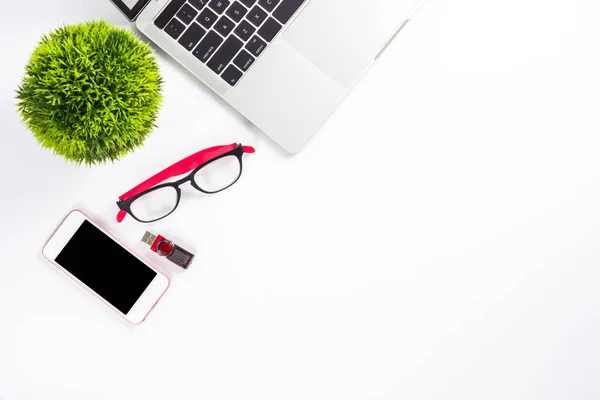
(226, 35)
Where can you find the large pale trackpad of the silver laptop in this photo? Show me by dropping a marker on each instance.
(342, 37)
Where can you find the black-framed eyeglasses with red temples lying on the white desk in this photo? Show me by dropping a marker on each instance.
(213, 170)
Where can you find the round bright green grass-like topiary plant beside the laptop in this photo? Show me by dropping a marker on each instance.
(91, 92)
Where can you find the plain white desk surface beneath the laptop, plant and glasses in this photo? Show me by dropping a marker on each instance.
(439, 239)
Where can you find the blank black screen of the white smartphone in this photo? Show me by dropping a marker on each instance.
(105, 267)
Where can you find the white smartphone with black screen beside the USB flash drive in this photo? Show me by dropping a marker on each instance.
(98, 262)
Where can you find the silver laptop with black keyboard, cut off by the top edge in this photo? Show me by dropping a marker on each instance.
(286, 65)
